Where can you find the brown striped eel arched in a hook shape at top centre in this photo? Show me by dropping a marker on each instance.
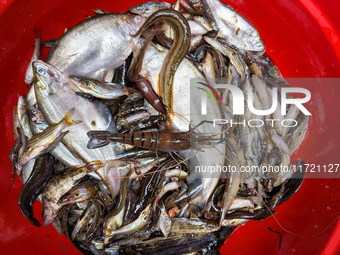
(176, 53)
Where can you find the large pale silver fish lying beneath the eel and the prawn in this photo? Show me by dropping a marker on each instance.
(152, 65)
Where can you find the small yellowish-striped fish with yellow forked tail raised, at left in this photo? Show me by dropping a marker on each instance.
(43, 142)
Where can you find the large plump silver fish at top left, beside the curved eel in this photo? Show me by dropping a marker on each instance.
(95, 46)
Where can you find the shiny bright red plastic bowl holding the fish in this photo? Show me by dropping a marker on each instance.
(302, 38)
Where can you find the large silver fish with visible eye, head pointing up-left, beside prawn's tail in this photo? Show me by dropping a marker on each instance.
(54, 97)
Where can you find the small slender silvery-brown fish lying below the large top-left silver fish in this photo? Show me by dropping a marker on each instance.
(100, 89)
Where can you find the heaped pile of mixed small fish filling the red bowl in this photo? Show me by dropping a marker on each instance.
(106, 142)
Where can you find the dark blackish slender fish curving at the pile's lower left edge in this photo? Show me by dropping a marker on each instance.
(43, 169)
